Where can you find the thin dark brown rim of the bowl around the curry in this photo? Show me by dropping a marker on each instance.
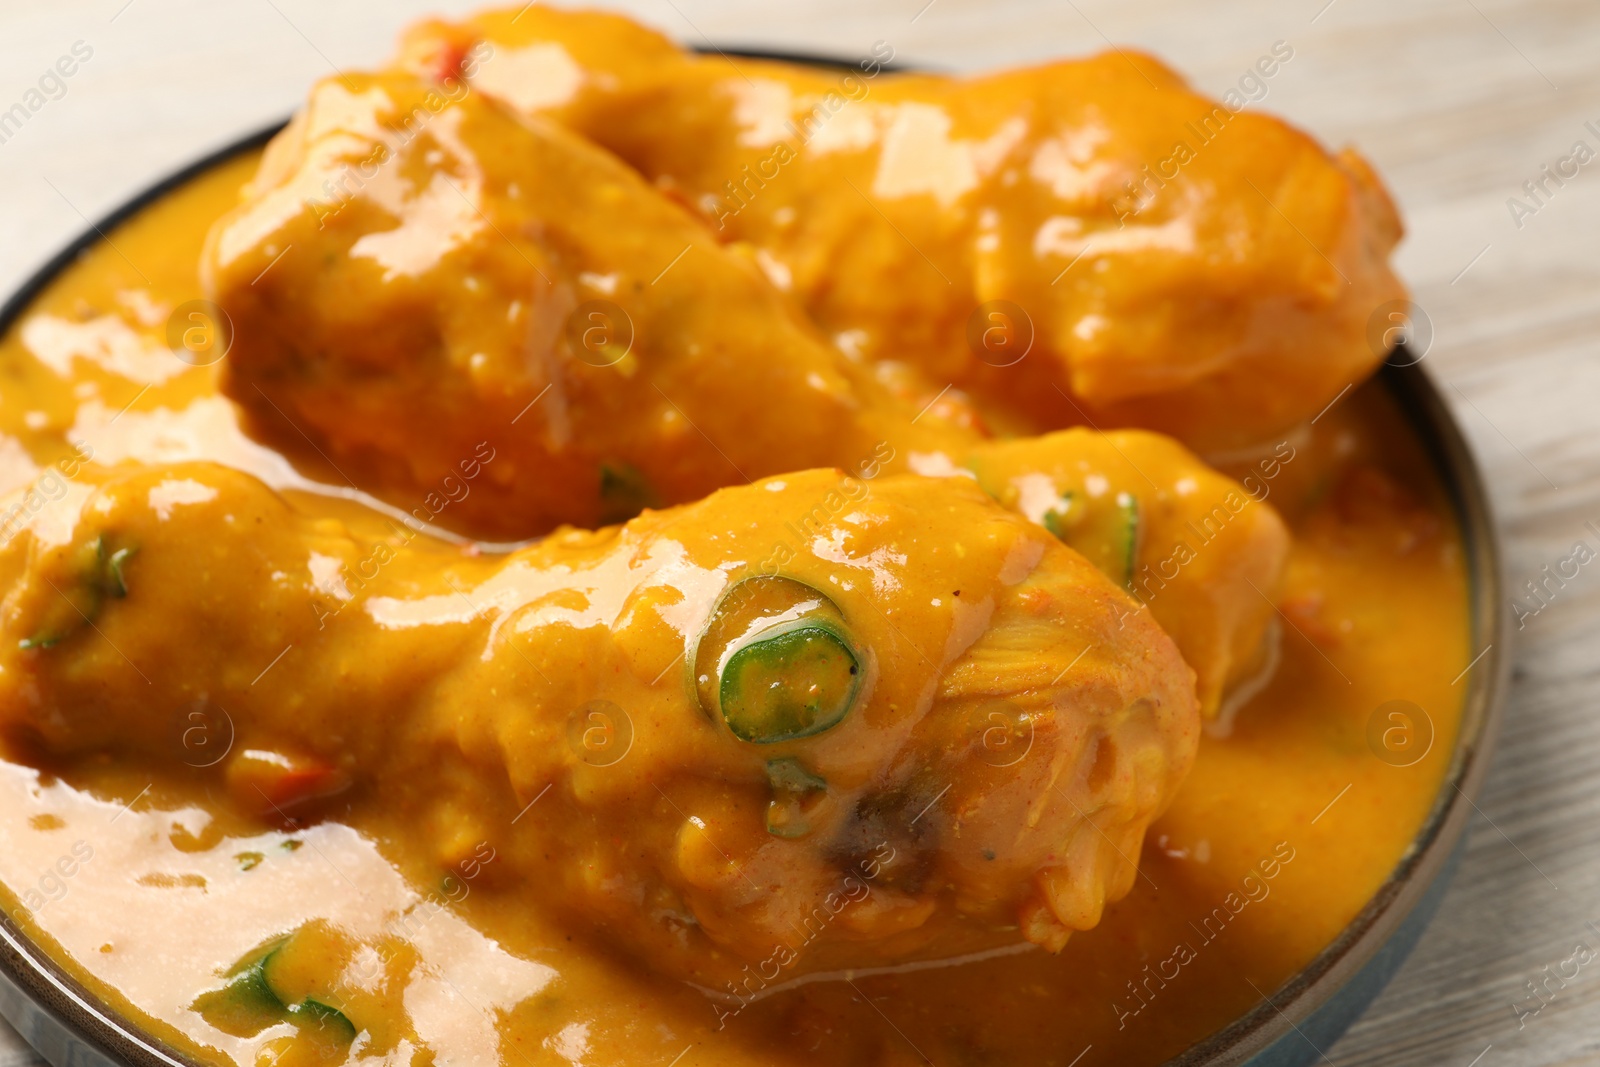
(84, 1015)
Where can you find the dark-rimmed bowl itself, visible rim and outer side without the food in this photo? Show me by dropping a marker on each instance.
(73, 1028)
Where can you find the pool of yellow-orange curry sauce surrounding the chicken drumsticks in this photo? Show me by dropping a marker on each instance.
(1287, 825)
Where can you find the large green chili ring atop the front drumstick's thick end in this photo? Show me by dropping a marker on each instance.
(777, 661)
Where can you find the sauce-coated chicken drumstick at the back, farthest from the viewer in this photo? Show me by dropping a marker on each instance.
(894, 204)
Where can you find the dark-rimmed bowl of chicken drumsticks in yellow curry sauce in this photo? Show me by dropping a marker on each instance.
(575, 551)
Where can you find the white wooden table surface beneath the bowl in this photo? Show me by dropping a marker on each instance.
(1457, 102)
